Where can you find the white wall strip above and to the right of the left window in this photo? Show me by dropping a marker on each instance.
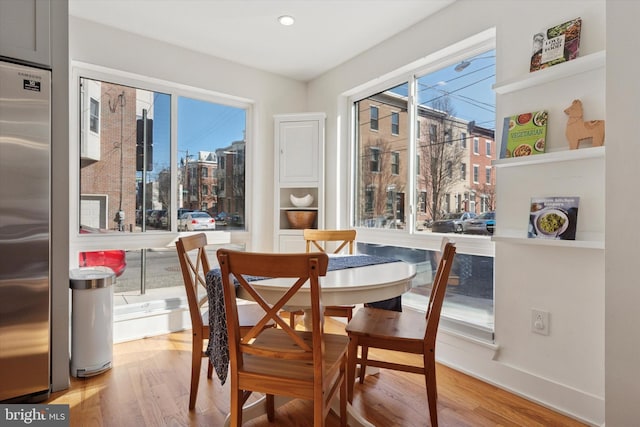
(271, 94)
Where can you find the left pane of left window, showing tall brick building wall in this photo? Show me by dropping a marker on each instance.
(124, 165)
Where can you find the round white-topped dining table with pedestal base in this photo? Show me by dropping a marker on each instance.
(353, 285)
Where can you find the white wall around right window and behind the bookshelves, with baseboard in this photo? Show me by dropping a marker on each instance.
(566, 369)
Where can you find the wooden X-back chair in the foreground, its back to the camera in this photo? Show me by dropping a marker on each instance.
(282, 361)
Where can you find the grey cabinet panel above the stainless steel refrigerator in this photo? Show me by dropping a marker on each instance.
(25, 30)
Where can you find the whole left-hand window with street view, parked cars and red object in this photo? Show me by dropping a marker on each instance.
(146, 156)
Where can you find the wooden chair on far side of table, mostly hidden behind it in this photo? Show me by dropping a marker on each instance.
(312, 238)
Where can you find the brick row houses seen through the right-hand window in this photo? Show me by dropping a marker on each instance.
(452, 162)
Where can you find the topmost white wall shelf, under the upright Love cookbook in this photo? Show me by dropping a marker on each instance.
(581, 64)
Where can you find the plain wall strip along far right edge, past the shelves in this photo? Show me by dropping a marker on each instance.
(622, 344)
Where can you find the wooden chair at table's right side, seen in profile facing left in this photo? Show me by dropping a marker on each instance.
(406, 331)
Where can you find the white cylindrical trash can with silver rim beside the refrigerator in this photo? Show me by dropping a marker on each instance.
(91, 320)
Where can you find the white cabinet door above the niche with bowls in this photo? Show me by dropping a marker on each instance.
(299, 151)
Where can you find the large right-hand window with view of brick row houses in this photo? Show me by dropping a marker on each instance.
(447, 105)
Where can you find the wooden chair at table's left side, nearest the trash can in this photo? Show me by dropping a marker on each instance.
(195, 265)
